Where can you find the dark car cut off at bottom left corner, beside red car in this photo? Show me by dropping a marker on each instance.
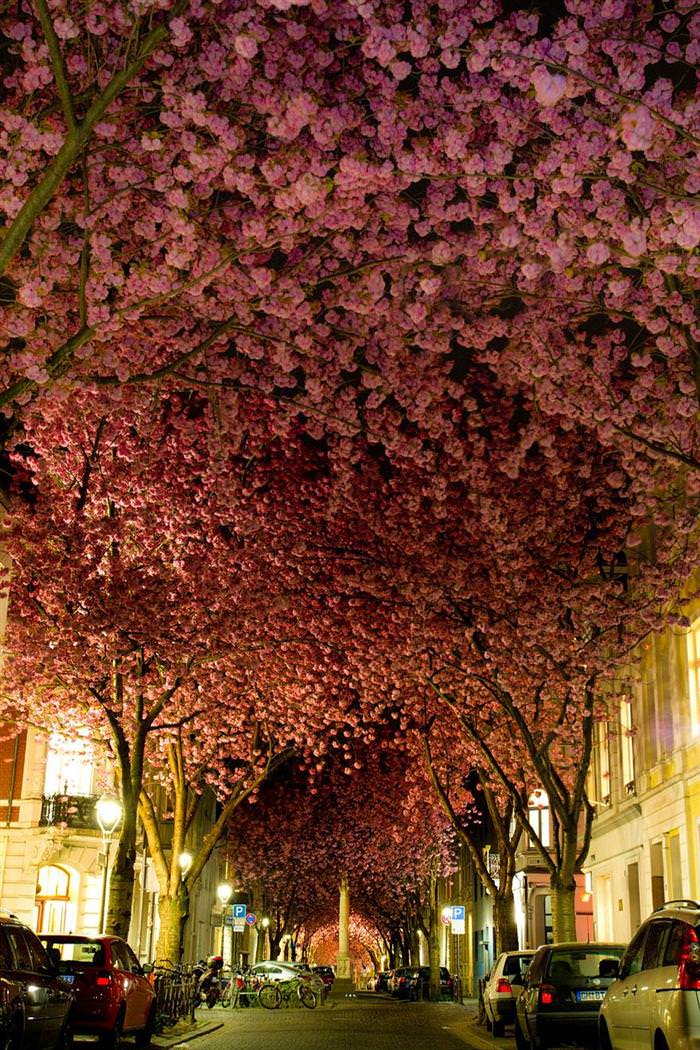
(35, 1003)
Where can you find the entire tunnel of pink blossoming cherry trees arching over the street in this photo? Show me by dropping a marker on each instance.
(350, 386)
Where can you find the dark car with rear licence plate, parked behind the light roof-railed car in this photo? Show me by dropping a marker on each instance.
(562, 995)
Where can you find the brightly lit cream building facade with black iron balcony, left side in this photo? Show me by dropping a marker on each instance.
(52, 852)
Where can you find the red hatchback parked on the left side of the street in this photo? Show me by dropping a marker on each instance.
(112, 993)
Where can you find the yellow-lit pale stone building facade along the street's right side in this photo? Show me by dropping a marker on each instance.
(646, 845)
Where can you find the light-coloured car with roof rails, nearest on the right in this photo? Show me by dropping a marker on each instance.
(655, 1002)
